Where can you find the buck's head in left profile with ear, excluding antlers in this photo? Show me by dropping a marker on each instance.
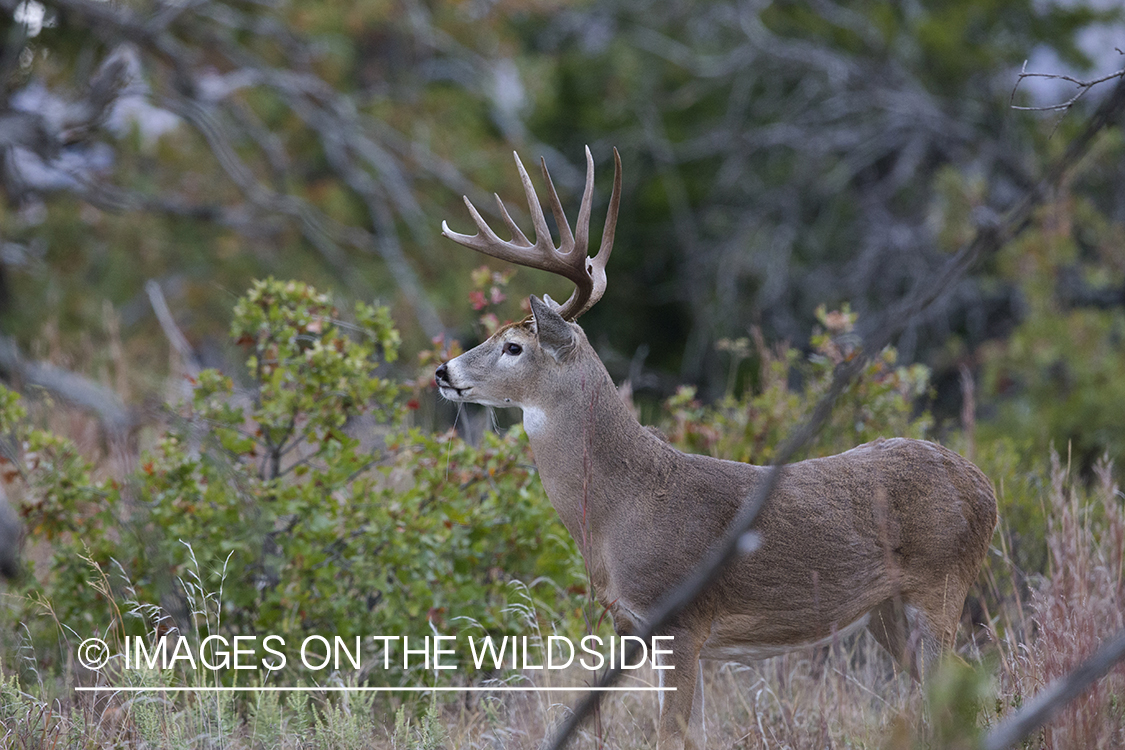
(520, 366)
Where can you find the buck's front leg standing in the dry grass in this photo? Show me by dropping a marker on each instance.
(682, 709)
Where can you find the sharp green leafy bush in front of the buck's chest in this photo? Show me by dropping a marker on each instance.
(336, 518)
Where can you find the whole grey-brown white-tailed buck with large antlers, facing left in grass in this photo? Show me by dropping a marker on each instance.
(888, 536)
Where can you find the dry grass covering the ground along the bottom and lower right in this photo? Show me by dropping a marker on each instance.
(847, 697)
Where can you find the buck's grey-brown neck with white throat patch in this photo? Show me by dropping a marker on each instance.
(593, 457)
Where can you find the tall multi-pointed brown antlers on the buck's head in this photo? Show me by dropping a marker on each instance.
(570, 259)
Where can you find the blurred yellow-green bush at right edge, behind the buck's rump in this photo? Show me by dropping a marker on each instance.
(1056, 379)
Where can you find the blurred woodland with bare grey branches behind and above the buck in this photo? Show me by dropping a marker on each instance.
(778, 158)
